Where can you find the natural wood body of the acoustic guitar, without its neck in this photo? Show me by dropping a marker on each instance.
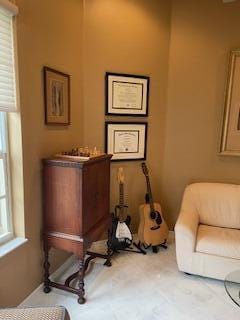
(148, 234)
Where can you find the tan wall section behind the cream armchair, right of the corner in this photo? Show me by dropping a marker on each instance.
(203, 32)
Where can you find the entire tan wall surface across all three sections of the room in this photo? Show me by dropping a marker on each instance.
(186, 104)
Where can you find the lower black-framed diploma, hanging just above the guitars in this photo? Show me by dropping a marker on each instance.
(125, 140)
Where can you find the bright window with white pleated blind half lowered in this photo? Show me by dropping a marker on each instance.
(8, 103)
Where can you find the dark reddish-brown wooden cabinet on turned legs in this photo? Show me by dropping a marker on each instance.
(75, 210)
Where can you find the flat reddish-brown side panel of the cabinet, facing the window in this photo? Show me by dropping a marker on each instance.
(62, 199)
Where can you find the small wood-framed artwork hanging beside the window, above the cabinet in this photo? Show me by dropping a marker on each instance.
(56, 97)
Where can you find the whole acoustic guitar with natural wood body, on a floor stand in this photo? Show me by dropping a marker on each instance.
(153, 230)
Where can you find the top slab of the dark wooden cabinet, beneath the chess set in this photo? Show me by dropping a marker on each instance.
(62, 161)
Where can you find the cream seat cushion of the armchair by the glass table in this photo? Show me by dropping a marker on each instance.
(217, 241)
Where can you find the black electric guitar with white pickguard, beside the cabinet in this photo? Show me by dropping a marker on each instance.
(121, 237)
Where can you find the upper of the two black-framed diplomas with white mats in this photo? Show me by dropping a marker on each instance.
(126, 94)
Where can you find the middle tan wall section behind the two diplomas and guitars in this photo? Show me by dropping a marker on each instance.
(127, 37)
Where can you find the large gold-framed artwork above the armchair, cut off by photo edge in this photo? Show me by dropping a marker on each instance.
(230, 142)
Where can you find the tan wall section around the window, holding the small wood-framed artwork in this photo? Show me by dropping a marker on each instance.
(49, 33)
